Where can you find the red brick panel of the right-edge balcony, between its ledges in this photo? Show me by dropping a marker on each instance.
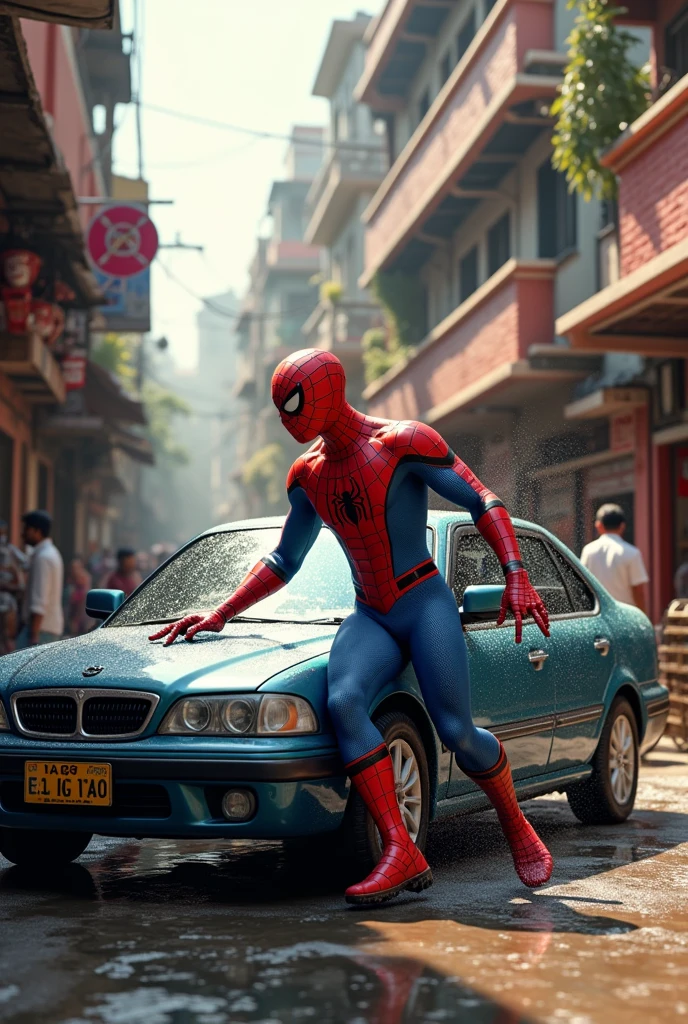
(654, 199)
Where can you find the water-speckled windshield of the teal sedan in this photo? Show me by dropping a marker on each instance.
(204, 575)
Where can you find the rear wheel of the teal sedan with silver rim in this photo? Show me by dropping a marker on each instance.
(609, 795)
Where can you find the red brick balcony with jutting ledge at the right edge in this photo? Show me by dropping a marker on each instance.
(647, 310)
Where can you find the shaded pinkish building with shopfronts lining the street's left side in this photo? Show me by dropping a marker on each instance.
(66, 442)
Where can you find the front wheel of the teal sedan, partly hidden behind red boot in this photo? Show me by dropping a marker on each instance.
(406, 746)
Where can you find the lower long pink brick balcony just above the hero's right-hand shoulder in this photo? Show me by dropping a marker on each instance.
(478, 352)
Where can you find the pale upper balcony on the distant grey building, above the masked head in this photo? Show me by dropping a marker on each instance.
(349, 175)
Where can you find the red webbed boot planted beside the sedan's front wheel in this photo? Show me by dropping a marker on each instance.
(402, 866)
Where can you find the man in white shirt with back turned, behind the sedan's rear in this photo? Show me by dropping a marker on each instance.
(618, 565)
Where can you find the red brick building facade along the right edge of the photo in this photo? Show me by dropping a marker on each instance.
(644, 308)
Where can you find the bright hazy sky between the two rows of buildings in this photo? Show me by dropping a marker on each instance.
(251, 63)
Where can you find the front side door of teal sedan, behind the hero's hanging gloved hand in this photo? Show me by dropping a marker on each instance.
(512, 686)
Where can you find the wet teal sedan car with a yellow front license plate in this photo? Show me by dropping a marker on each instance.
(229, 738)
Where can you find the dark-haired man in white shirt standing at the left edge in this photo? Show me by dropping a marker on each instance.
(44, 617)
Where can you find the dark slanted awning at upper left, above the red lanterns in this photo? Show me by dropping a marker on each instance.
(36, 192)
